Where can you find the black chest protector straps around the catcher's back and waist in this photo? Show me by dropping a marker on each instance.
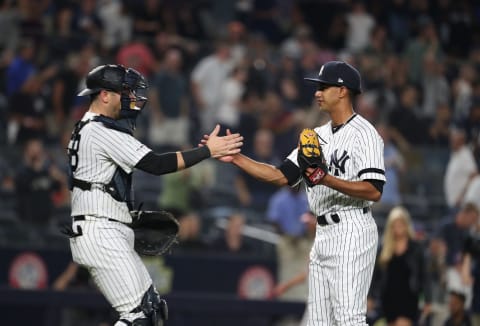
(120, 186)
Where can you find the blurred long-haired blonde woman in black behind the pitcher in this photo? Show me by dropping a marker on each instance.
(401, 273)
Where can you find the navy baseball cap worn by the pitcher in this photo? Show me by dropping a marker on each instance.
(339, 73)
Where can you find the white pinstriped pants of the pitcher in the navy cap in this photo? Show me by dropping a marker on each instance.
(341, 265)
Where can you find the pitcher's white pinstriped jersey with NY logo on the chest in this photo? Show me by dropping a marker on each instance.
(353, 152)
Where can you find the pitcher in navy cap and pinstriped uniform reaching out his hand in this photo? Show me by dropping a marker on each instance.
(342, 165)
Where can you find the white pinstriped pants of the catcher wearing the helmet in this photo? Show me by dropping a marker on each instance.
(106, 249)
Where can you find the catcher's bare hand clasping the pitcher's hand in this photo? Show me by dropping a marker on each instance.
(222, 147)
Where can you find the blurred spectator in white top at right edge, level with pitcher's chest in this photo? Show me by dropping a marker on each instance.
(461, 168)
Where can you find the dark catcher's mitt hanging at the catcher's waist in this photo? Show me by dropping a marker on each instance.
(155, 231)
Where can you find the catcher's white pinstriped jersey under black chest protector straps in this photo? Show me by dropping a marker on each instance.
(99, 151)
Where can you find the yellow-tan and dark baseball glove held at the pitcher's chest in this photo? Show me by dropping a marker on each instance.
(310, 155)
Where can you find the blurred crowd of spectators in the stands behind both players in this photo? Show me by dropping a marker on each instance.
(241, 64)
